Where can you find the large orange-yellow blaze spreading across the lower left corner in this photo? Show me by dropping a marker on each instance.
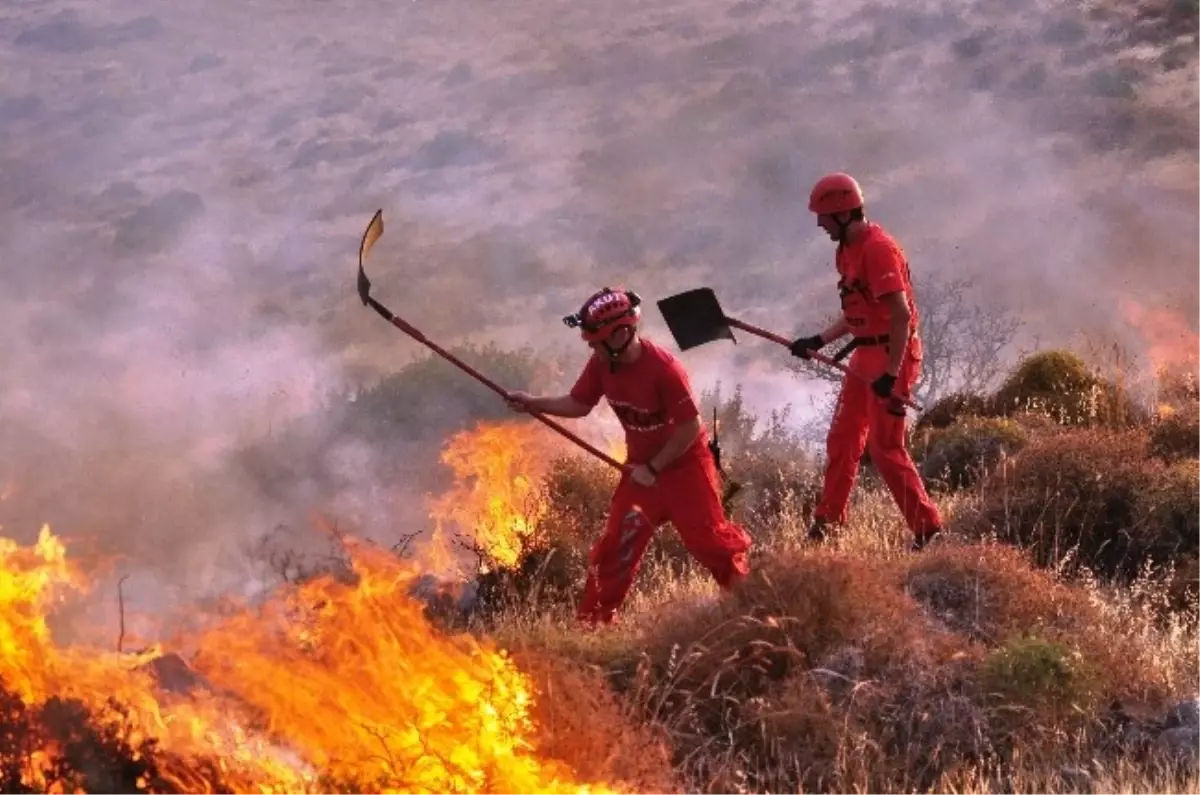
(326, 688)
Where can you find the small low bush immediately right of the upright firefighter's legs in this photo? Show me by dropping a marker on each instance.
(958, 456)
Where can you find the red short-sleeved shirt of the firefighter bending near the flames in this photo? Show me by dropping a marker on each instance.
(651, 398)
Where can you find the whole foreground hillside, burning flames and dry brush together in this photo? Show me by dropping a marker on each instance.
(1047, 644)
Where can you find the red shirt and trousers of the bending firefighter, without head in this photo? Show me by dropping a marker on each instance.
(651, 397)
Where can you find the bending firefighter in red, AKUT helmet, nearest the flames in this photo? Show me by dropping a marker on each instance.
(674, 476)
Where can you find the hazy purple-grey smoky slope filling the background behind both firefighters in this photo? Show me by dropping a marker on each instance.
(184, 189)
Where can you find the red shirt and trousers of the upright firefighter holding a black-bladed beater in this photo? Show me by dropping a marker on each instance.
(869, 270)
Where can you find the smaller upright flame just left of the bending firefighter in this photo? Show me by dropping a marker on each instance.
(496, 500)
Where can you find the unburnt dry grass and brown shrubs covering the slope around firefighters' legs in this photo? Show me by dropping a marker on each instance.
(1046, 642)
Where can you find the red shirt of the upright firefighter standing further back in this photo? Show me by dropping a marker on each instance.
(873, 267)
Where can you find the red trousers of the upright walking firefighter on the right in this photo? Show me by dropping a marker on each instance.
(863, 421)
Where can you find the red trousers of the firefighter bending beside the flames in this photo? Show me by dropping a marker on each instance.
(688, 494)
